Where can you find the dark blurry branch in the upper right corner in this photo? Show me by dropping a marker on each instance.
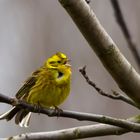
(123, 26)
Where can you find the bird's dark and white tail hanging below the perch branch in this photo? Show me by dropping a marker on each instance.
(22, 116)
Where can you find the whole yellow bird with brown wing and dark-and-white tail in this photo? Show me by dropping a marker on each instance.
(47, 87)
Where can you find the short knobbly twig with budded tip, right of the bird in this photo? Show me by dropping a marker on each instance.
(115, 95)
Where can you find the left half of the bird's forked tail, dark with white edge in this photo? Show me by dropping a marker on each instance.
(9, 114)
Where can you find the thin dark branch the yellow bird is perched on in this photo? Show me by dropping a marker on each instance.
(131, 126)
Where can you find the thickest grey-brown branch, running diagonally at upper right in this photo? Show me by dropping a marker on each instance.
(121, 70)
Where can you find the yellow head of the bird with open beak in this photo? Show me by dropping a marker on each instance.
(57, 60)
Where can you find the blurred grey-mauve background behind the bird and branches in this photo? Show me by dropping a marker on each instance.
(33, 30)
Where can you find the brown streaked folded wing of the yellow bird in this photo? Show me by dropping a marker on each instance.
(29, 83)
